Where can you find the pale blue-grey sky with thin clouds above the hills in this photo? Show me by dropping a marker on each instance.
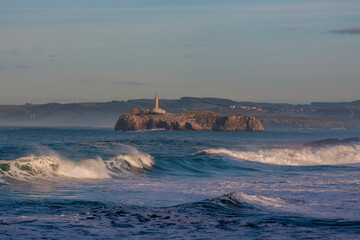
(294, 51)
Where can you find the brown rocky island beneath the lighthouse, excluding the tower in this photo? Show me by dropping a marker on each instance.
(143, 119)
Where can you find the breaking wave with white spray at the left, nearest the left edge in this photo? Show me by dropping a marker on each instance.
(52, 166)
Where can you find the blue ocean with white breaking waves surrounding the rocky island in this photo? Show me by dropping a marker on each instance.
(92, 183)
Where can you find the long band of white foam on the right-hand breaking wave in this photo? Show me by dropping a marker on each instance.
(333, 155)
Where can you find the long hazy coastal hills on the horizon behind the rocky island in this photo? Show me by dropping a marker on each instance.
(105, 114)
